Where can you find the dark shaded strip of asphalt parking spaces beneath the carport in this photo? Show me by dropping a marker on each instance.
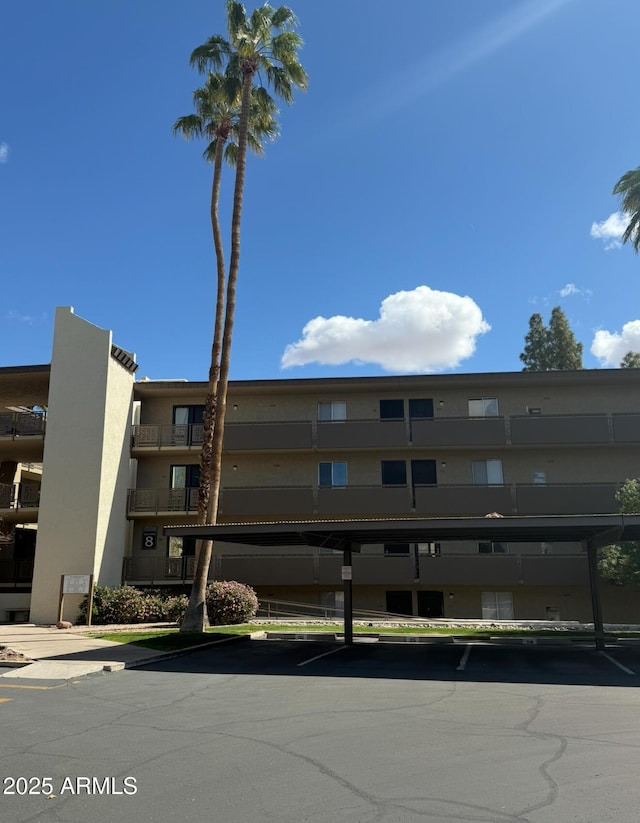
(519, 663)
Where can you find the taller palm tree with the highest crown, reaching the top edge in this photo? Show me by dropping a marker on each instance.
(263, 42)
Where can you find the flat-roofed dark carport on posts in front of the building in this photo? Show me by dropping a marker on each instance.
(348, 536)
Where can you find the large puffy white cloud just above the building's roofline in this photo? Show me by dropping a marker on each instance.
(423, 330)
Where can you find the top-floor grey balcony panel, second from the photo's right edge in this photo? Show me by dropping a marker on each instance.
(562, 430)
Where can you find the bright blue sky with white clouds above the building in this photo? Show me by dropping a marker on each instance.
(447, 173)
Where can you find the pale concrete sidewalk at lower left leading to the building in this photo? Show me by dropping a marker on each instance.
(65, 654)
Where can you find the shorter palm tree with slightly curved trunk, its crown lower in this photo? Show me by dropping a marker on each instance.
(217, 118)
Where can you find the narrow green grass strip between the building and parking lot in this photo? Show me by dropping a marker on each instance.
(172, 639)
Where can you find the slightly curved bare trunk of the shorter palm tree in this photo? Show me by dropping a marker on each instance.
(196, 618)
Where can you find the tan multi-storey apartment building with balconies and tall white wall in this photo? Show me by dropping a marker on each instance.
(119, 461)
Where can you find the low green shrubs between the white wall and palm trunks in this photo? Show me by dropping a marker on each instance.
(128, 605)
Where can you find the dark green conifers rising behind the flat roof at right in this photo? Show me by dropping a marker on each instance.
(553, 347)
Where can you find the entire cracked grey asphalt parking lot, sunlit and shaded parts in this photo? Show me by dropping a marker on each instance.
(314, 731)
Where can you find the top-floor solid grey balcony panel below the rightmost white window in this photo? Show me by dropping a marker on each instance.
(459, 431)
